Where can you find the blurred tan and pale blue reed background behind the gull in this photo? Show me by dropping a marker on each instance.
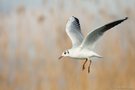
(32, 37)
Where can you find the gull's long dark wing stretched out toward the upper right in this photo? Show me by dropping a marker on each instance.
(93, 36)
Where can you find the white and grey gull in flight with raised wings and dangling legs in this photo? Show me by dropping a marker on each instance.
(82, 48)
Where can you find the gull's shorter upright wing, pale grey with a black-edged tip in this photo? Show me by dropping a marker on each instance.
(73, 30)
